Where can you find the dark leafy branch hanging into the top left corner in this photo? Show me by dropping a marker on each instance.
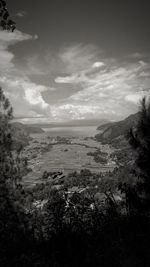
(5, 22)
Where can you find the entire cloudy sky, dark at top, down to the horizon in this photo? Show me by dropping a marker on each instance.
(71, 60)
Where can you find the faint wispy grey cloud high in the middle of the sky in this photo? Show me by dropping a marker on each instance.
(78, 60)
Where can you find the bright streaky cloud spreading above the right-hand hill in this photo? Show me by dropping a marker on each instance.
(114, 84)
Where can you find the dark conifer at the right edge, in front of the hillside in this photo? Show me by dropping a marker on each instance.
(139, 139)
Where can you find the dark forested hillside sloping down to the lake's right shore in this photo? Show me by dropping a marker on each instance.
(114, 132)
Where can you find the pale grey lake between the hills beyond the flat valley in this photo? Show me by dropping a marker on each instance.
(79, 131)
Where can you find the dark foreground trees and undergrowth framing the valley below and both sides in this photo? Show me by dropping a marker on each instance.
(84, 222)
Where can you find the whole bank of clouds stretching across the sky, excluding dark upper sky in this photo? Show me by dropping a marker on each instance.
(83, 80)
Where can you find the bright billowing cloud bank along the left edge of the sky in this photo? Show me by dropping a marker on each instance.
(26, 96)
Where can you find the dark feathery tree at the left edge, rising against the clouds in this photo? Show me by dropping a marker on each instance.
(11, 163)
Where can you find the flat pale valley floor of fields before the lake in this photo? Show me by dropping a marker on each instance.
(69, 154)
